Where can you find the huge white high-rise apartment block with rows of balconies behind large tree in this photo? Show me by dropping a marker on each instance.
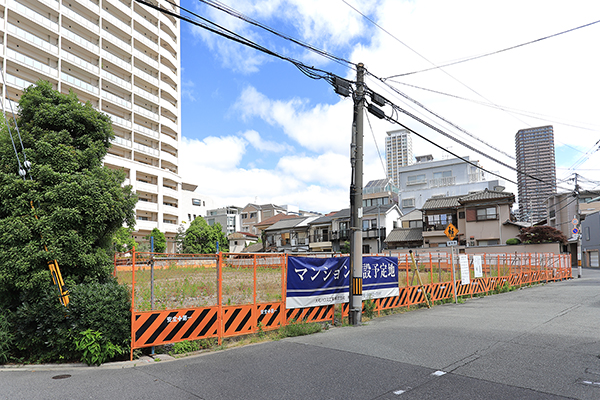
(124, 58)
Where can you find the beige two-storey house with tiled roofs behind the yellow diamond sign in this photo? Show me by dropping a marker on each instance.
(482, 219)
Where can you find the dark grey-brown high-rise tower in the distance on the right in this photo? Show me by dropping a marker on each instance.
(535, 157)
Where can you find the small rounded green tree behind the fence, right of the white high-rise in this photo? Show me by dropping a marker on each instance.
(201, 238)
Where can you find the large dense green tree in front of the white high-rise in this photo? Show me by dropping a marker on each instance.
(79, 204)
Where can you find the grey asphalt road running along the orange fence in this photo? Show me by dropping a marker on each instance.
(541, 342)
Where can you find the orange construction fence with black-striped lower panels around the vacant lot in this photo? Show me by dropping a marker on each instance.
(176, 297)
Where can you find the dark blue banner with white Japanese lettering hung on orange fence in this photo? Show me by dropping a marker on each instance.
(322, 281)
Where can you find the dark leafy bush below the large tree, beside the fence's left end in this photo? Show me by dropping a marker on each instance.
(45, 331)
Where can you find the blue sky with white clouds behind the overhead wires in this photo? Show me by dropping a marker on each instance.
(255, 129)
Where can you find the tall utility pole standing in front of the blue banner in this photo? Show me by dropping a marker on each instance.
(356, 210)
